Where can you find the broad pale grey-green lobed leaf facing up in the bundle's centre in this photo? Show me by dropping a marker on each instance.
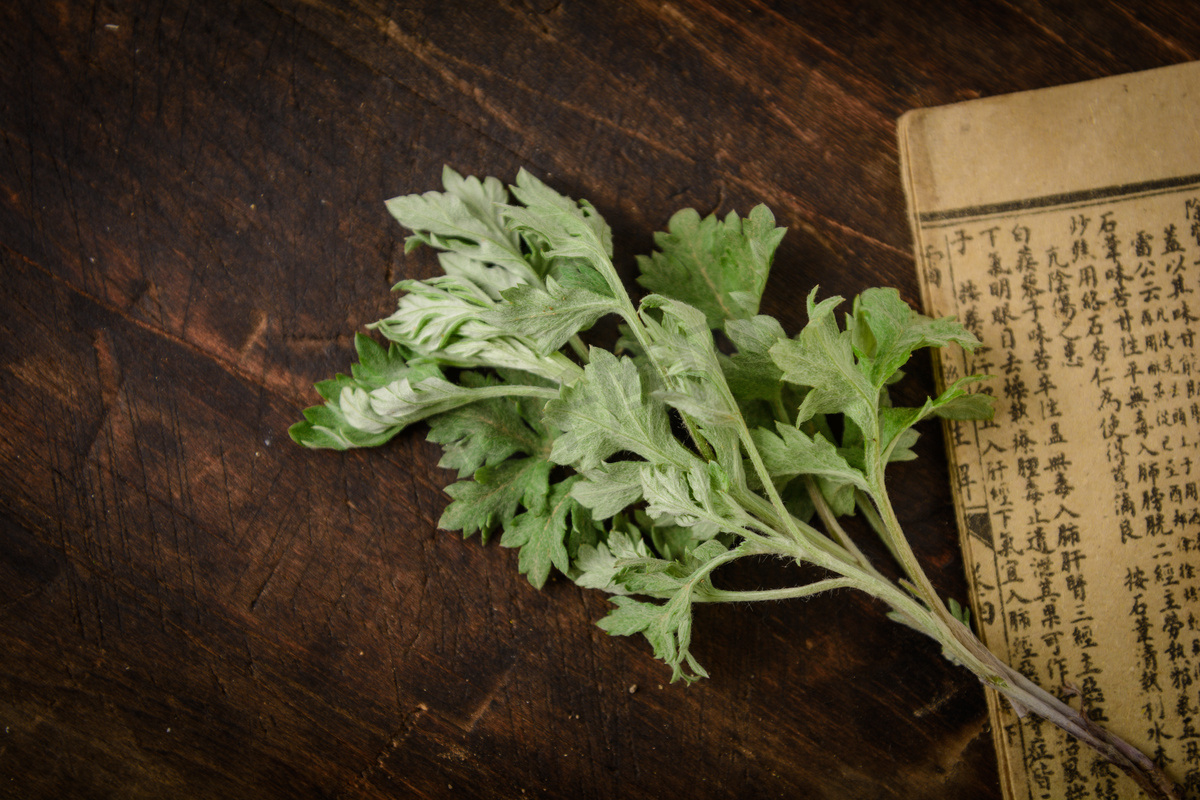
(607, 412)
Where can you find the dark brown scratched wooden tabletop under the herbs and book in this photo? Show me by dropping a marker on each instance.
(191, 232)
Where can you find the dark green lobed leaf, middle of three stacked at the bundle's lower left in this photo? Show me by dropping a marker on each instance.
(494, 498)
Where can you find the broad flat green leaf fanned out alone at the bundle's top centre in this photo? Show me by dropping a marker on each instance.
(719, 267)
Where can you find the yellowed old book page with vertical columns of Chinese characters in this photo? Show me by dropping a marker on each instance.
(1063, 227)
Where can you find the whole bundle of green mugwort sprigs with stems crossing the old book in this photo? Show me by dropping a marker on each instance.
(644, 470)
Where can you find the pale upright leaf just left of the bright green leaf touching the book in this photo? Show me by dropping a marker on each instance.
(821, 358)
